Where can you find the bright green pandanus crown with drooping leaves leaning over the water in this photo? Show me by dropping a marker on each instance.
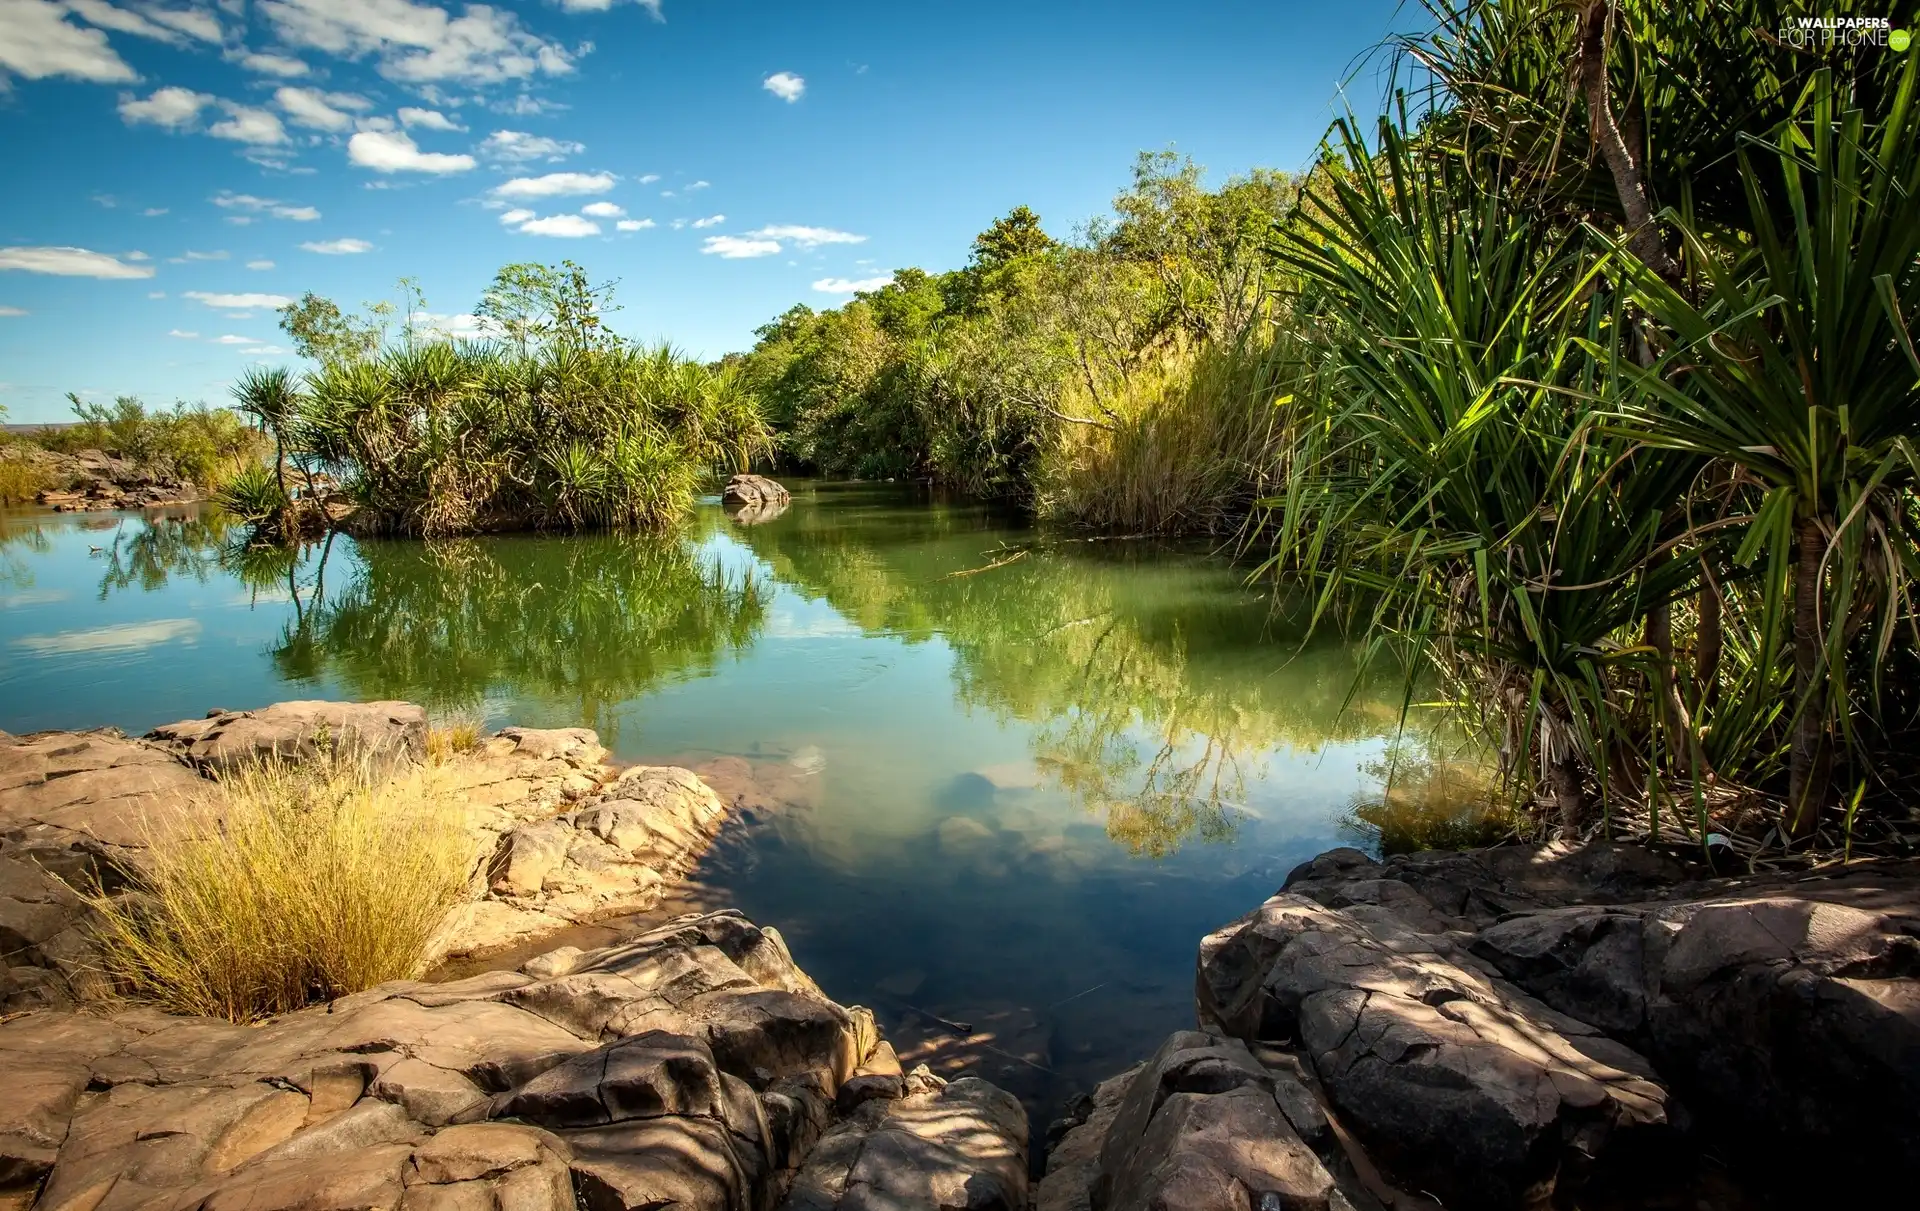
(1451, 471)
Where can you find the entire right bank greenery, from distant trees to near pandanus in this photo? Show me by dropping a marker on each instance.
(1585, 379)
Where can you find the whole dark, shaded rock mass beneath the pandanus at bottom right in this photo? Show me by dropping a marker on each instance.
(1512, 1026)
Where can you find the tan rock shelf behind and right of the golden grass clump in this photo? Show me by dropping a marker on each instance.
(558, 836)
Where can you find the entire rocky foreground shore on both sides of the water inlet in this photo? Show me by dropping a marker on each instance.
(1512, 1028)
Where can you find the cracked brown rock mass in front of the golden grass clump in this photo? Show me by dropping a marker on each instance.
(694, 1068)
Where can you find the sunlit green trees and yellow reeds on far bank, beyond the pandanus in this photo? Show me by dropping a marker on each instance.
(1103, 379)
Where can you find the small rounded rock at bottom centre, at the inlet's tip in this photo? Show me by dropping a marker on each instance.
(961, 1149)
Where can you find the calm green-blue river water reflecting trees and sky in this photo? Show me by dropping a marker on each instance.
(1005, 795)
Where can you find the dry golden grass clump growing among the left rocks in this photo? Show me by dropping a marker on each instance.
(318, 882)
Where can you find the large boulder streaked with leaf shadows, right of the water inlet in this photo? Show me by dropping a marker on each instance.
(1470, 1091)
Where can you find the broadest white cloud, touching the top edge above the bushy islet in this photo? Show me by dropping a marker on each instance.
(421, 43)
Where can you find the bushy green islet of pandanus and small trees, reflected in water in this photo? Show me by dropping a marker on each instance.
(552, 423)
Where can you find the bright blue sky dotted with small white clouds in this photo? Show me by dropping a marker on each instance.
(181, 168)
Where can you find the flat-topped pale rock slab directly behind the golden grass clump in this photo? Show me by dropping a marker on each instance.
(379, 732)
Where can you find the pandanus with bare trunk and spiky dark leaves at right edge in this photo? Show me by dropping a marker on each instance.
(1796, 364)
